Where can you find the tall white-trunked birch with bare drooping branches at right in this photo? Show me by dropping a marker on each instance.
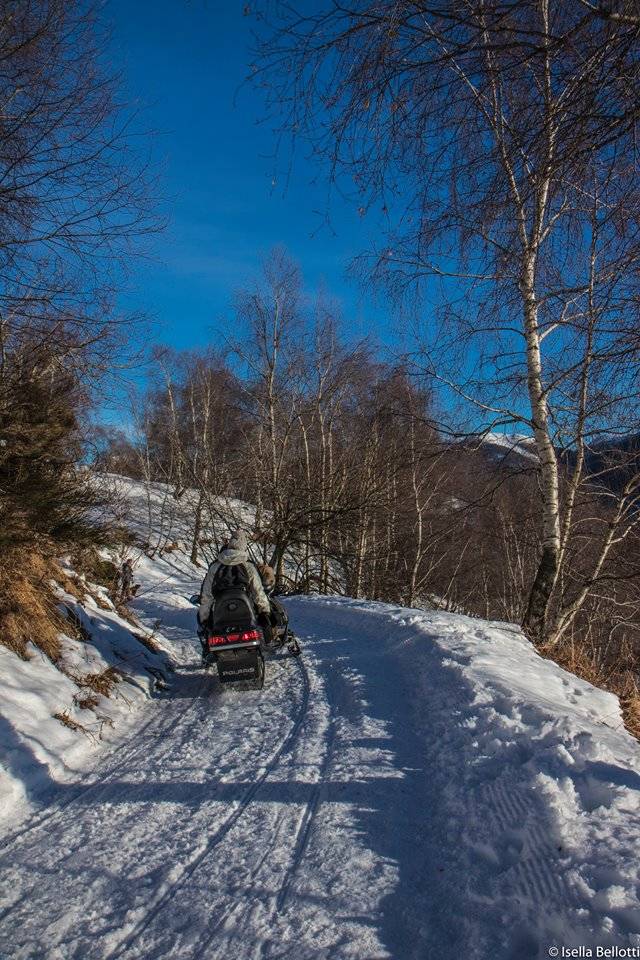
(510, 128)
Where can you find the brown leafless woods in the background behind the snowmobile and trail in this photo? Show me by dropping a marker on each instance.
(356, 487)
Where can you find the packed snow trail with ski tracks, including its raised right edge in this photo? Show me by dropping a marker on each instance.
(368, 803)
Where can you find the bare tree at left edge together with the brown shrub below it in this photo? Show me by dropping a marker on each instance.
(73, 198)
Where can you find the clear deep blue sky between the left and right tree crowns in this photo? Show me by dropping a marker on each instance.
(183, 64)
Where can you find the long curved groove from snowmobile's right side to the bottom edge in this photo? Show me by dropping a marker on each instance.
(221, 832)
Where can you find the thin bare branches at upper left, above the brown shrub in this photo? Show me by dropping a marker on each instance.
(74, 195)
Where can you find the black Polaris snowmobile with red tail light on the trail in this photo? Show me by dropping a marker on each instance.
(235, 642)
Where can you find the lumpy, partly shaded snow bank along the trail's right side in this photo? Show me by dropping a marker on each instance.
(534, 782)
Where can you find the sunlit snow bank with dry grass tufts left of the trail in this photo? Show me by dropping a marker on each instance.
(52, 720)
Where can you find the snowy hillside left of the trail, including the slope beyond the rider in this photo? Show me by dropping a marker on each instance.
(46, 735)
